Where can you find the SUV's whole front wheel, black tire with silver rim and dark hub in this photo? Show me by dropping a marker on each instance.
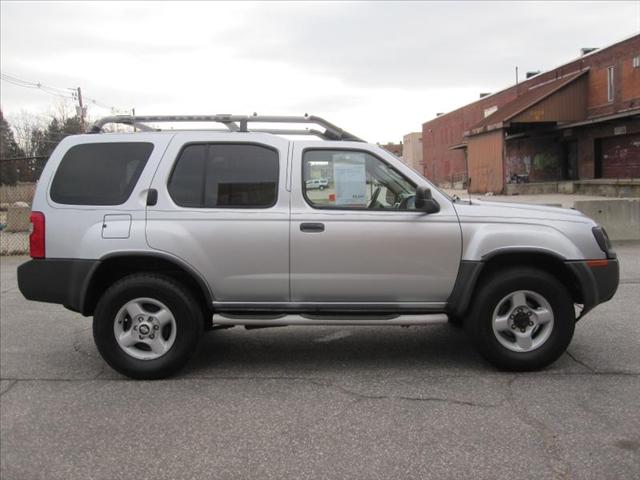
(522, 319)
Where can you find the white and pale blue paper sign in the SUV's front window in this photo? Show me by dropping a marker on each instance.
(350, 177)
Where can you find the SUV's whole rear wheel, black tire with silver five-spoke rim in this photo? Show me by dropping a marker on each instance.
(147, 326)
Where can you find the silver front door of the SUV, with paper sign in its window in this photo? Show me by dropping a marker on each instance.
(349, 248)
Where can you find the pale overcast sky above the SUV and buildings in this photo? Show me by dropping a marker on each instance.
(377, 69)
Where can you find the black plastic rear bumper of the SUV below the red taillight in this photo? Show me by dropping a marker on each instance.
(60, 281)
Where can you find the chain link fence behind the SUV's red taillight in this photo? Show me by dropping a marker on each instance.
(19, 178)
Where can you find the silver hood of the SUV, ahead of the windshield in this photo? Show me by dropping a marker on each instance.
(518, 212)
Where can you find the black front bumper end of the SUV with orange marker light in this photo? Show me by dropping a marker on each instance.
(598, 280)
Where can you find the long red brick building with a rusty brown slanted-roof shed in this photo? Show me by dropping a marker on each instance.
(578, 123)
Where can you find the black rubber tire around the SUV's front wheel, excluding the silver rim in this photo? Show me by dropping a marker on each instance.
(486, 300)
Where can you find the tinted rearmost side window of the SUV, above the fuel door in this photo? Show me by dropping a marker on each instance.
(99, 173)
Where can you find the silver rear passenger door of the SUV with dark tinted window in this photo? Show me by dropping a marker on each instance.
(223, 208)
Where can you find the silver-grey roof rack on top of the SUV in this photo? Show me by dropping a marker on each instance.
(234, 123)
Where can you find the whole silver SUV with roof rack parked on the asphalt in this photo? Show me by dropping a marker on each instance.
(160, 235)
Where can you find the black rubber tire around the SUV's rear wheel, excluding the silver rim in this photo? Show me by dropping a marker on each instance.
(186, 312)
